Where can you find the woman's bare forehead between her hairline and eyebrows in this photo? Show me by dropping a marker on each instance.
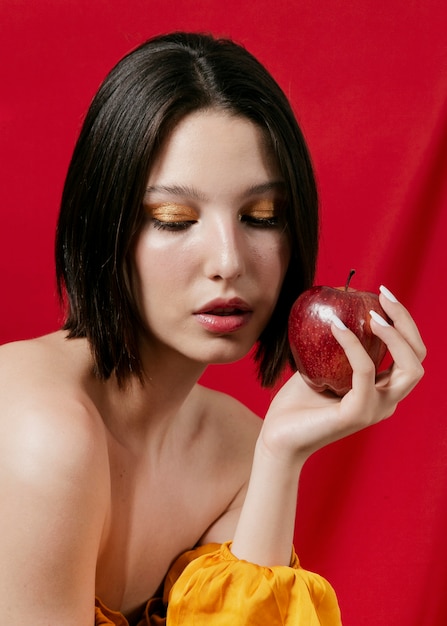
(212, 149)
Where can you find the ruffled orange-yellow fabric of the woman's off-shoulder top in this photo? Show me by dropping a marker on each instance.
(209, 585)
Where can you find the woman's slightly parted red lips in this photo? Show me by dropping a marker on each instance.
(224, 316)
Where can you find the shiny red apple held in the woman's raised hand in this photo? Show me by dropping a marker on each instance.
(318, 356)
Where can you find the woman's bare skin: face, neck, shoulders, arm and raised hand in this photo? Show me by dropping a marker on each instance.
(119, 482)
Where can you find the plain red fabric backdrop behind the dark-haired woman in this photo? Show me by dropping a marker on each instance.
(369, 81)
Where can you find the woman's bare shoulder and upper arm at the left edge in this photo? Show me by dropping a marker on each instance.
(53, 479)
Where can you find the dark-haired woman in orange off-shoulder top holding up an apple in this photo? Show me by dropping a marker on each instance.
(188, 226)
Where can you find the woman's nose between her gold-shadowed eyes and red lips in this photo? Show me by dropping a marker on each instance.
(226, 248)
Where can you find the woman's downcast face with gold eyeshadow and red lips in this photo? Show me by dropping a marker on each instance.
(212, 254)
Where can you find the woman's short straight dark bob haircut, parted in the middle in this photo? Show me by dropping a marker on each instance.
(142, 99)
